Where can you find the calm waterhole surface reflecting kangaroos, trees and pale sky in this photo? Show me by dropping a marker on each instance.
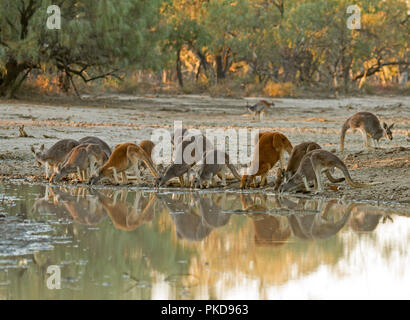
(112, 244)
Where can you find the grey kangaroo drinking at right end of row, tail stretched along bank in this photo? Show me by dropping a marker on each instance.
(310, 169)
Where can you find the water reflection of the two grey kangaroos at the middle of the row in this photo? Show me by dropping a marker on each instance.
(196, 218)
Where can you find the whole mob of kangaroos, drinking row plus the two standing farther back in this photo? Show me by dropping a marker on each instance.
(91, 160)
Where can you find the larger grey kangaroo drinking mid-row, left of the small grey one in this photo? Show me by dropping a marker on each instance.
(181, 164)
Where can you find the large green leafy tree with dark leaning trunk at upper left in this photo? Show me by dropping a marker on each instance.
(97, 39)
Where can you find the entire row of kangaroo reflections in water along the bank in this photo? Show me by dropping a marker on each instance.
(195, 215)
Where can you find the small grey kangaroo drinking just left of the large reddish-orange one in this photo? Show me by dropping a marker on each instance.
(214, 163)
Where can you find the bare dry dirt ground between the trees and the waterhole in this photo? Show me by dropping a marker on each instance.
(121, 118)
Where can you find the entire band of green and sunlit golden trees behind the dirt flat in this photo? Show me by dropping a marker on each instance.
(271, 47)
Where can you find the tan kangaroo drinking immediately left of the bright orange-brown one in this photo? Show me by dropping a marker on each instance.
(82, 160)
